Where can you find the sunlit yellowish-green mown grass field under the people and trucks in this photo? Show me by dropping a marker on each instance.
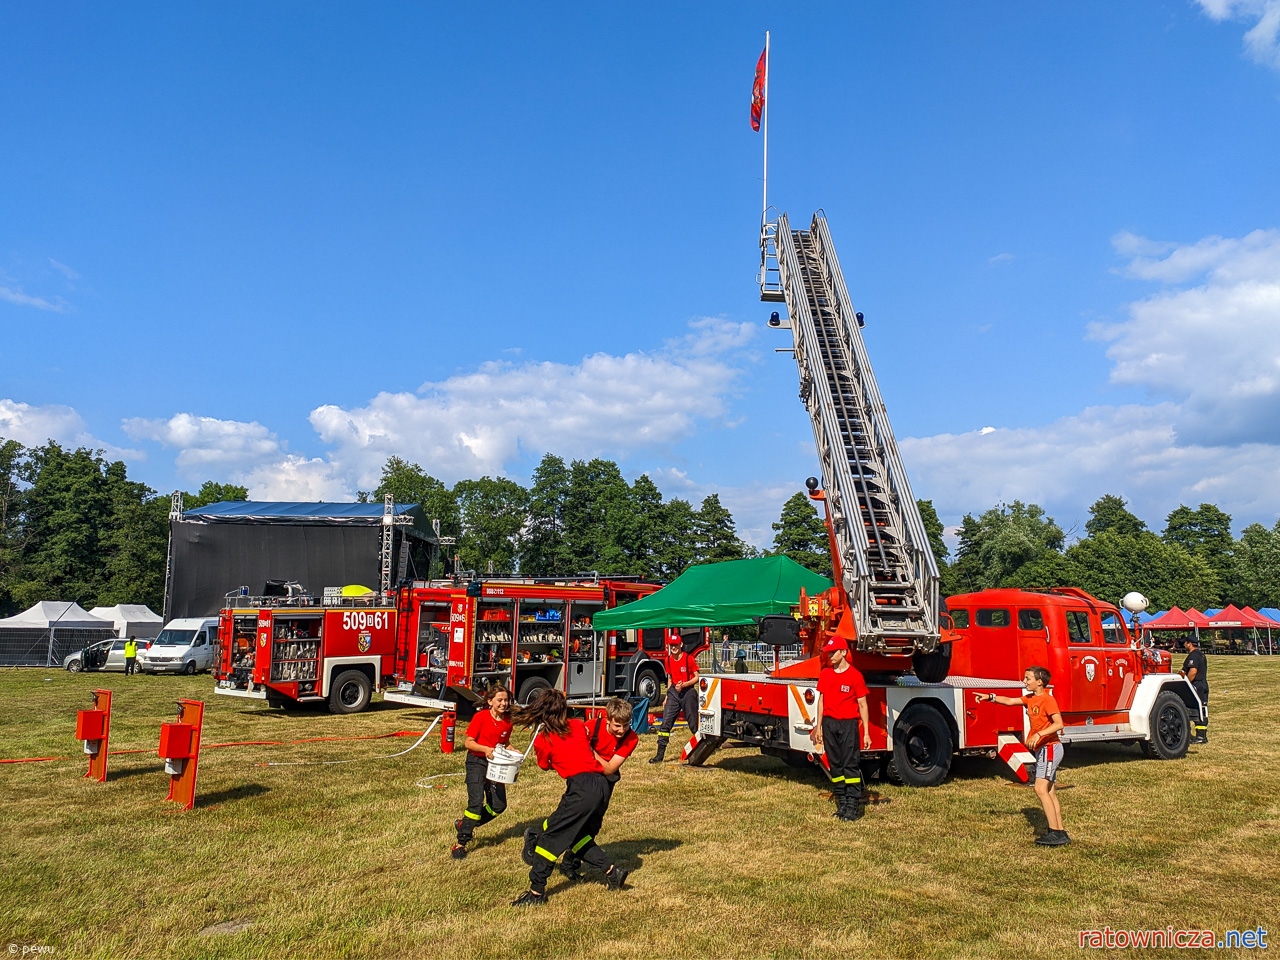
(739, 860)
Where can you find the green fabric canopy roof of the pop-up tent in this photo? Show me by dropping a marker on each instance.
(719, 596)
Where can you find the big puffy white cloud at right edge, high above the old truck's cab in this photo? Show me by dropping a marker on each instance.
(1214, 348)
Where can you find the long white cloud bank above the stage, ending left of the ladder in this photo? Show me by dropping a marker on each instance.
(612, 406)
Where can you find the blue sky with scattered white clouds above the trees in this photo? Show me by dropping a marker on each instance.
(276, 246)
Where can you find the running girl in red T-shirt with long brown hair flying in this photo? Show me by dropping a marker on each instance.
(565, 747)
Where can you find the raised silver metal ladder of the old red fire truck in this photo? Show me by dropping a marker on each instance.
(885, 564)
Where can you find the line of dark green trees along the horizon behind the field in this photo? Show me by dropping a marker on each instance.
(75, 528)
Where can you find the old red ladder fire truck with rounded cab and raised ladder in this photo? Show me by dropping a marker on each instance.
(925, 665)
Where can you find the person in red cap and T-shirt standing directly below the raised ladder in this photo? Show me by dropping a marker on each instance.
(842, 705)
